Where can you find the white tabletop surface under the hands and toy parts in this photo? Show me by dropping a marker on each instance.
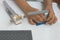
(42, 32)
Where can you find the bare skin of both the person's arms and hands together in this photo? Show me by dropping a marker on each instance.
(38, 18)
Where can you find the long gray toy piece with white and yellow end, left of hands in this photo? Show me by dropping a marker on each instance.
(12, 12)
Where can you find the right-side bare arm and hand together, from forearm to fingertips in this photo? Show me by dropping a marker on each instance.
(51, 17)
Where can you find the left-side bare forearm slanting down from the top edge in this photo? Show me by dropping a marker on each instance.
(23, 5)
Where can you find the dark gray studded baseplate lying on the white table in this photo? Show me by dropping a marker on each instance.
(15, 35)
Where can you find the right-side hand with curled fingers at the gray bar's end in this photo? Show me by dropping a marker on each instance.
(51, 16)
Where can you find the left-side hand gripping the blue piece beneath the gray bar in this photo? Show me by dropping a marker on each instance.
(38, 18)
